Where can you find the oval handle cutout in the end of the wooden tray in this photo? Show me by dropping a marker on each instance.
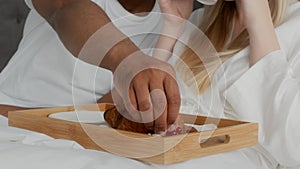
(214, 141)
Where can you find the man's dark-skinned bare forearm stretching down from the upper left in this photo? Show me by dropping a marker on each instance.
(75, 21)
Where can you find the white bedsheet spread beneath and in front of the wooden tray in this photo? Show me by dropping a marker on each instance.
(29, 150)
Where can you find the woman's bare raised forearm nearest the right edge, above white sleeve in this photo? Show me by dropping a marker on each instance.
(256, 16)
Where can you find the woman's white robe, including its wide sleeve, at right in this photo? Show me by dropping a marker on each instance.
(267, 93)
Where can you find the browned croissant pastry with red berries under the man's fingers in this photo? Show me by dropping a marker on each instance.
(117, 121)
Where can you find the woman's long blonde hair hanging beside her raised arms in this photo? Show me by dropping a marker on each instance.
(218, 24)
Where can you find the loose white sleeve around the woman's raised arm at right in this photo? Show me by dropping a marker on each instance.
(269, 94)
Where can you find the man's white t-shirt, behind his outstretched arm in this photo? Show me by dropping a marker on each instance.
(40, 74)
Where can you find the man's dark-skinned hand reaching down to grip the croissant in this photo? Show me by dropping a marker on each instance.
(146, 91)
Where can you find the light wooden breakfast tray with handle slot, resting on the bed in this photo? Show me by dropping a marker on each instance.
(228, 136)
